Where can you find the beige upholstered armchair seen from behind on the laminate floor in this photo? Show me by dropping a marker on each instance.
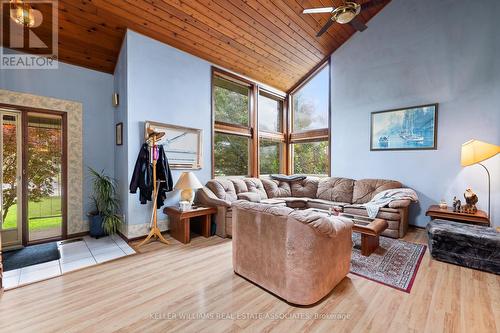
(298, 255)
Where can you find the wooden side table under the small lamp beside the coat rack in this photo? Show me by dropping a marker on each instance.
(180, 221)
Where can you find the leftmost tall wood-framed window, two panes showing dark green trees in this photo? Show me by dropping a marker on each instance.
(232, 140)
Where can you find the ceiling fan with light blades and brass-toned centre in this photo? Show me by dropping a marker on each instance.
(344, 14)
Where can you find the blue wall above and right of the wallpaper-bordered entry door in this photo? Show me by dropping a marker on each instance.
(91, 88)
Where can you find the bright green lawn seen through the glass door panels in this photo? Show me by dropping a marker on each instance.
(45, 214)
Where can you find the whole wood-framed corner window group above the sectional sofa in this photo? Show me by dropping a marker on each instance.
(255, 133)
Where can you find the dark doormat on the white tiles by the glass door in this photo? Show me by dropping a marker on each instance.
(30, 255)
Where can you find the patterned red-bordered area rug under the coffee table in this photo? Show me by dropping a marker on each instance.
(395, 263)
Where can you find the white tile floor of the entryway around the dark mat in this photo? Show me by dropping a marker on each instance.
(74, 255)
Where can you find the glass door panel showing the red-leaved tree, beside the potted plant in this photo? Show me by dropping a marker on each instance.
(44, 176)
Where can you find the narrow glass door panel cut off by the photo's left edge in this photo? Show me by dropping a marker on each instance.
(11, 177)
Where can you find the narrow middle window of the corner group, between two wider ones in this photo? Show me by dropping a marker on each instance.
(271, 134)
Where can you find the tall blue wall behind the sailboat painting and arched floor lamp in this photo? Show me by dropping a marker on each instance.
(419, 52)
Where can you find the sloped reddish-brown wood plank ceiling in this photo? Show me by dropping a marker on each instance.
(267, 40)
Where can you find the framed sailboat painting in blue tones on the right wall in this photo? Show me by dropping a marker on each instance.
(404, 129)
